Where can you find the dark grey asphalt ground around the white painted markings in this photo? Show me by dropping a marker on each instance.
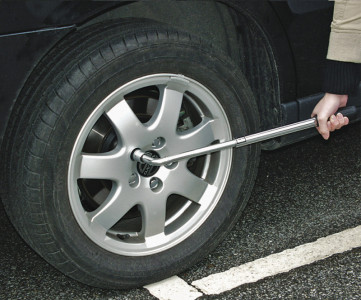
(303, 192)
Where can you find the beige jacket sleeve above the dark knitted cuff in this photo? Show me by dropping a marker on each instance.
(345, 37)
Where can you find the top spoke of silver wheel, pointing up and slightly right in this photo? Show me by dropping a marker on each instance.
(166, 115)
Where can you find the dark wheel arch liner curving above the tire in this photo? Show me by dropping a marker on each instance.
(250, 34)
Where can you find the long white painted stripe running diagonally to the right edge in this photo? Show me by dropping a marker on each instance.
(281, 262)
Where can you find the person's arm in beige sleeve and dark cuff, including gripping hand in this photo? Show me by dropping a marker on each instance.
(342, 70)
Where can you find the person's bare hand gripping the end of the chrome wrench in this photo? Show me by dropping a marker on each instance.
(325, 110)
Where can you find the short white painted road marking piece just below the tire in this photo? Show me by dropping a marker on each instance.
(173, 288)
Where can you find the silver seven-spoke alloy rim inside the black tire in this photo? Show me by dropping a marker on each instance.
(133, 209)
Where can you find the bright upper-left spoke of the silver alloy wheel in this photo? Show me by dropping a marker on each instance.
(126, 123)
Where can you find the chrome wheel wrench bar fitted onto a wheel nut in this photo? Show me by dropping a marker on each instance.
(140, 156)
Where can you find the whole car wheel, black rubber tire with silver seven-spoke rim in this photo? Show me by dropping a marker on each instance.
(73, 192)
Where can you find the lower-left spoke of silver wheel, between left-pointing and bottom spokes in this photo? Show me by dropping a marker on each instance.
(118, 203)
